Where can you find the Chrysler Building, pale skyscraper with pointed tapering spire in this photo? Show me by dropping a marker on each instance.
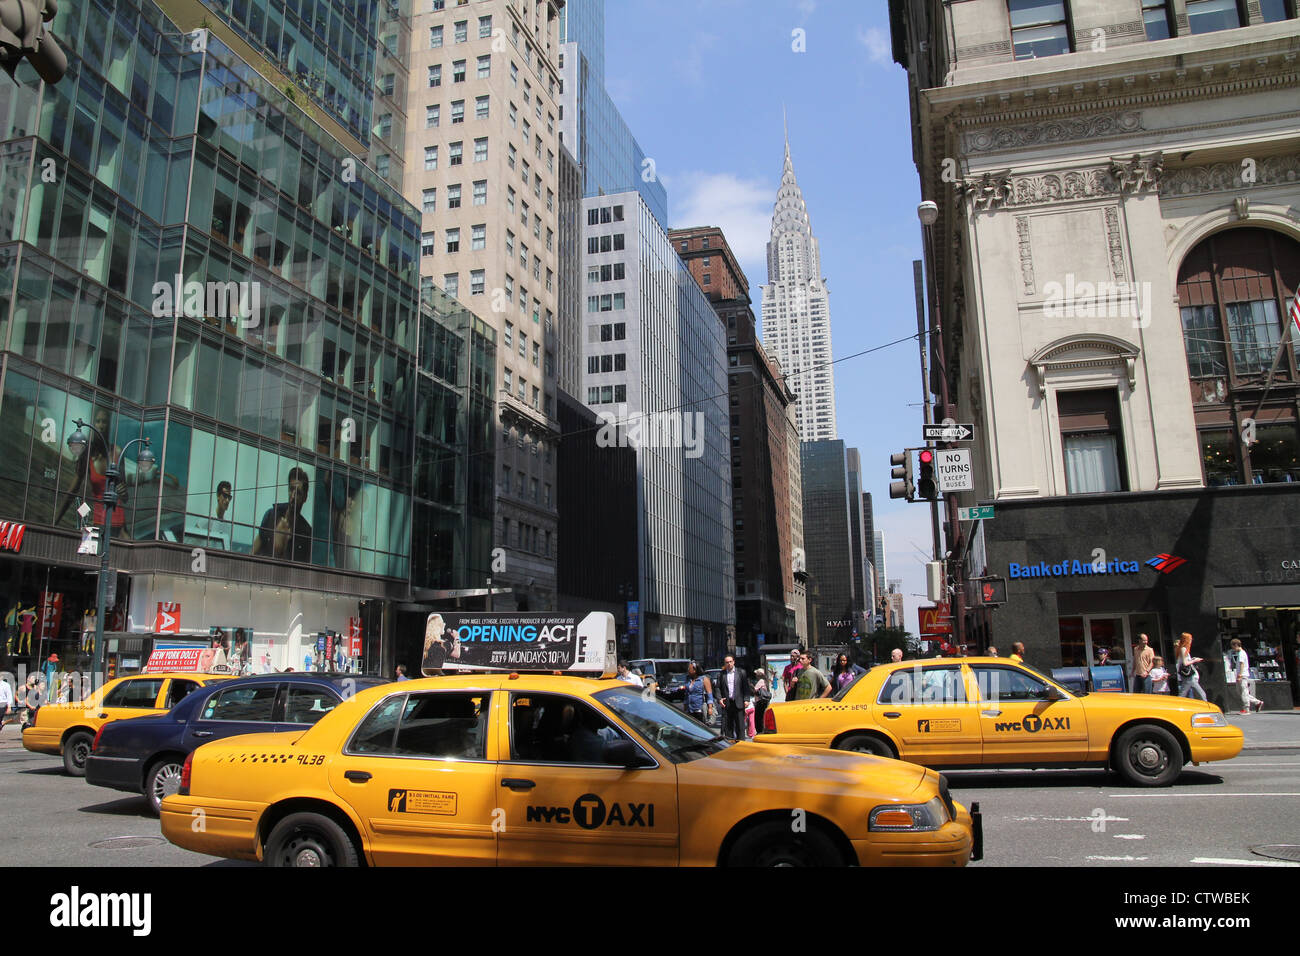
(796, 310)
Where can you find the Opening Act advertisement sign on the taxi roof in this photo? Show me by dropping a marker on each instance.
(521, 642)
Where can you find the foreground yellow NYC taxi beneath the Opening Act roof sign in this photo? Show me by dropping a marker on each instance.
(547, 769)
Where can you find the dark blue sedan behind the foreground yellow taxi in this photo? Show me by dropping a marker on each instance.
(145, 755)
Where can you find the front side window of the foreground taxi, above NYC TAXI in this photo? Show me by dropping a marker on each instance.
(554, 729)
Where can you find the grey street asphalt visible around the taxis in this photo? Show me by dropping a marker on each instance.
(1212, 817)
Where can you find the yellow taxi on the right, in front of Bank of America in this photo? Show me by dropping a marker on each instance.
(990, 712)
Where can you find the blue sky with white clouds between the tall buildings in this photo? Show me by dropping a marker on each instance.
(703, 86)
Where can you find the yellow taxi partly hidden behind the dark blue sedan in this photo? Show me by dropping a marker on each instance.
(71, 729)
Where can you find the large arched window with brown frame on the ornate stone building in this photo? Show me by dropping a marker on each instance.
(1234, 293)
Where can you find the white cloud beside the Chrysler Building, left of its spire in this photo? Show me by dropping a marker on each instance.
(742, 209)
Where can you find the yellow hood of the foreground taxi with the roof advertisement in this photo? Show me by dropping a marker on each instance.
(787, 768)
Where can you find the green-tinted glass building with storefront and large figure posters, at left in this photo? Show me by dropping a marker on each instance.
(187, 257)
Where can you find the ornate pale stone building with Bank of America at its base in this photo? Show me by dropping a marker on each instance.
(1117, 249)
